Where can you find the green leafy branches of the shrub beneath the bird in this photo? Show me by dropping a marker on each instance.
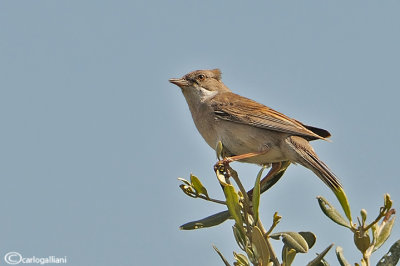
(254, 240)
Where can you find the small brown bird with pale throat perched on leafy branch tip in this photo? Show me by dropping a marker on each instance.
(249, 131)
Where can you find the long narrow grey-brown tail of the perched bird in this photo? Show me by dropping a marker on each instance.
(308, 158)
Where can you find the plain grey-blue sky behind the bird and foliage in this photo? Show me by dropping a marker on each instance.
(93, 136)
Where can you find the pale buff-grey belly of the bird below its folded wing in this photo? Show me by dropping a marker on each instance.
(241, 139)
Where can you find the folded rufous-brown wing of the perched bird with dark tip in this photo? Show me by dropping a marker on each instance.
(235, 108)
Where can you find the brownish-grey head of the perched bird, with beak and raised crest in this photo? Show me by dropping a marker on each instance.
(201, 80)
